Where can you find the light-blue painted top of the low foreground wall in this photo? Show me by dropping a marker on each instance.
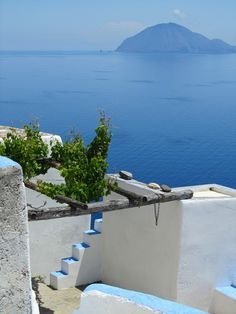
(155, 303)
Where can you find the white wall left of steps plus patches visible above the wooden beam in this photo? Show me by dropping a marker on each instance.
(51, 240)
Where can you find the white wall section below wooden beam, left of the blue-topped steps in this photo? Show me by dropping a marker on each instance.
(51, 240)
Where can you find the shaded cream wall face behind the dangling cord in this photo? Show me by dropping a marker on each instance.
(139, 255)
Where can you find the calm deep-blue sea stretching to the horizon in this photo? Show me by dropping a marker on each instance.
(173, 116)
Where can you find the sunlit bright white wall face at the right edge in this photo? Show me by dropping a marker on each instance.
(207, 251)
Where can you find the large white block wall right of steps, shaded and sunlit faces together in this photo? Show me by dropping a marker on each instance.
(185, 257)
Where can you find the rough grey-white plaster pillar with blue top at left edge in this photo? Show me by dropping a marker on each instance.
(15, 286)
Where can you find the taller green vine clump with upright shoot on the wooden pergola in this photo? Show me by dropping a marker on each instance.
(83, 167)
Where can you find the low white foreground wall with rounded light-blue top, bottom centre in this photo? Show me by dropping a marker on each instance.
(104, 299)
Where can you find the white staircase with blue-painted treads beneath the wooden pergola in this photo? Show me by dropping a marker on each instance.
(84, 266)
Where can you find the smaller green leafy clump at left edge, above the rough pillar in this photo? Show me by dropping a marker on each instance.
(26, 148)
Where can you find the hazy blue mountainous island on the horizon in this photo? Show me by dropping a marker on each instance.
(172, 37)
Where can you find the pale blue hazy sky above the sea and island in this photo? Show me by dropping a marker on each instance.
(103, 24)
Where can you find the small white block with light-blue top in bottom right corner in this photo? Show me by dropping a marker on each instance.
(224, 300)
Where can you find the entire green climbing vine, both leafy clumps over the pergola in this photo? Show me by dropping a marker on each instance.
(83, 167)
